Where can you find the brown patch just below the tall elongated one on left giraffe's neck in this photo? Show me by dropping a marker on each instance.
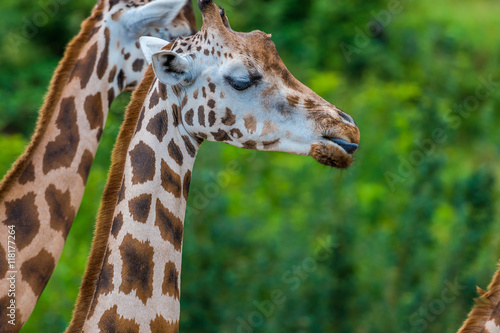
(62, 213)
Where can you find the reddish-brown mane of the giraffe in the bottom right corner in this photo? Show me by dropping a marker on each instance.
(484, 307)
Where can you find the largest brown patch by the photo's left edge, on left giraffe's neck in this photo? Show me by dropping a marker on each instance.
(23, 213)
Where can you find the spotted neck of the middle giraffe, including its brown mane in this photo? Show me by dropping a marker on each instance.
(135, 279)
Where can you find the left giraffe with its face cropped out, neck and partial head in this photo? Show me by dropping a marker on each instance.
(41, 194)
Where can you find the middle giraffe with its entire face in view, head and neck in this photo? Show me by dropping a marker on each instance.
(218, 85)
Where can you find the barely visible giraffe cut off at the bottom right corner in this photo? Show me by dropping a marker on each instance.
(485, 316)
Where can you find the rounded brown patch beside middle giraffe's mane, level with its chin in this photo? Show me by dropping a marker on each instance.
(143, 163)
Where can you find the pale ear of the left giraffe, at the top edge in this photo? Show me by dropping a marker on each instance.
(159, 13)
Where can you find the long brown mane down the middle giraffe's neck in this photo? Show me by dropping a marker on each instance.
(108, 203)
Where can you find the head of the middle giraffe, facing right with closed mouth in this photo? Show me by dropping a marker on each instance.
(233, 87)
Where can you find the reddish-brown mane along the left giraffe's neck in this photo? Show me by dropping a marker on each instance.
(59, 80)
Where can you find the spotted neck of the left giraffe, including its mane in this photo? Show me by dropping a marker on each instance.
(41, 194)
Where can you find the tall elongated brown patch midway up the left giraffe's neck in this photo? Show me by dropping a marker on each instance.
(61, 152)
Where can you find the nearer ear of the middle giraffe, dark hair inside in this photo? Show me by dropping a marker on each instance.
(172, 68)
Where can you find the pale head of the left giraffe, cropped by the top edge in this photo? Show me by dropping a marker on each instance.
(122, 22)
